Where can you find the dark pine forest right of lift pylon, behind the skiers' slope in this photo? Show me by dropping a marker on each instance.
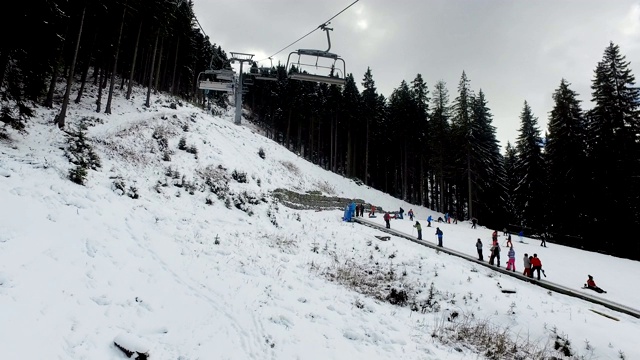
(578, 184)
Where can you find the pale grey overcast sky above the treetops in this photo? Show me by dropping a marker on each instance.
(512, 50)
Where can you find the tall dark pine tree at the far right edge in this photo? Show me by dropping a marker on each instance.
(612, 134)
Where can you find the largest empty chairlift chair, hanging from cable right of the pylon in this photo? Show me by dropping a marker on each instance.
(335, 75)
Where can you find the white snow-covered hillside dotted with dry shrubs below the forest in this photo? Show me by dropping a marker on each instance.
(84, 267)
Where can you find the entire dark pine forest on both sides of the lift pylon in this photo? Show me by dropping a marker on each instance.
(576, 185)
